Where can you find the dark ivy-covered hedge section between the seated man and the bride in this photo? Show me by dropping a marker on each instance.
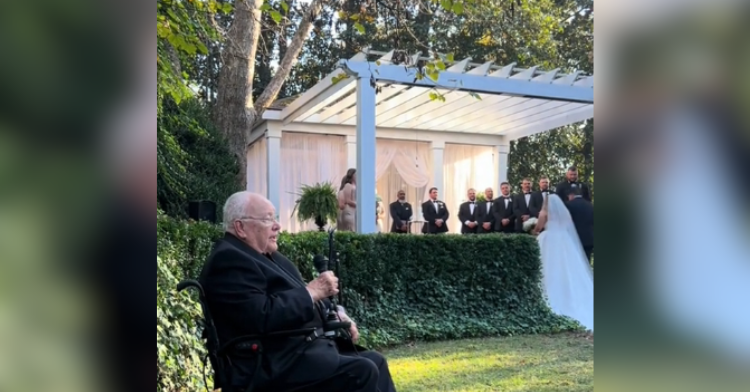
(401, 288)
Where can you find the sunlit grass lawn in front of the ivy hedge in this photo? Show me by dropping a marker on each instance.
(537, 363)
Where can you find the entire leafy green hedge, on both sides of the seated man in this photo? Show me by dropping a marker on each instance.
(398, 288)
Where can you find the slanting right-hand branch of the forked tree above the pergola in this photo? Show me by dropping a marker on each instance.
(270, 93)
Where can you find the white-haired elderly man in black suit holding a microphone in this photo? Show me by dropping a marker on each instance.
(252, 289)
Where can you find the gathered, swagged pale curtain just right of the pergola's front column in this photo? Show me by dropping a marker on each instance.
(406, 166)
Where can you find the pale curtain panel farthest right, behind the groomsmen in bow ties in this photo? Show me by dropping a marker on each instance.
(464, 167)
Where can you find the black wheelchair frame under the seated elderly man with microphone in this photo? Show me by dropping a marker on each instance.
(218, 352)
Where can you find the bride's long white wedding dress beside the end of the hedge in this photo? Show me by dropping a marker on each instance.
(567, 280)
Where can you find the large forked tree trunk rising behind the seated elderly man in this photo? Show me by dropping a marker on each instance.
(234, 112)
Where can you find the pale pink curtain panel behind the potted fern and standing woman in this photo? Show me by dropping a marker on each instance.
(307, 159)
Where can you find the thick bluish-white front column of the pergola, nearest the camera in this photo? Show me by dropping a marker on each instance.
(365, 155)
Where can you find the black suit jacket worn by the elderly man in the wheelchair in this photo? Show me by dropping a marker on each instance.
(250, 293)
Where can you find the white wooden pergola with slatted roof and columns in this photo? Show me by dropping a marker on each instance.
(484, 104)
